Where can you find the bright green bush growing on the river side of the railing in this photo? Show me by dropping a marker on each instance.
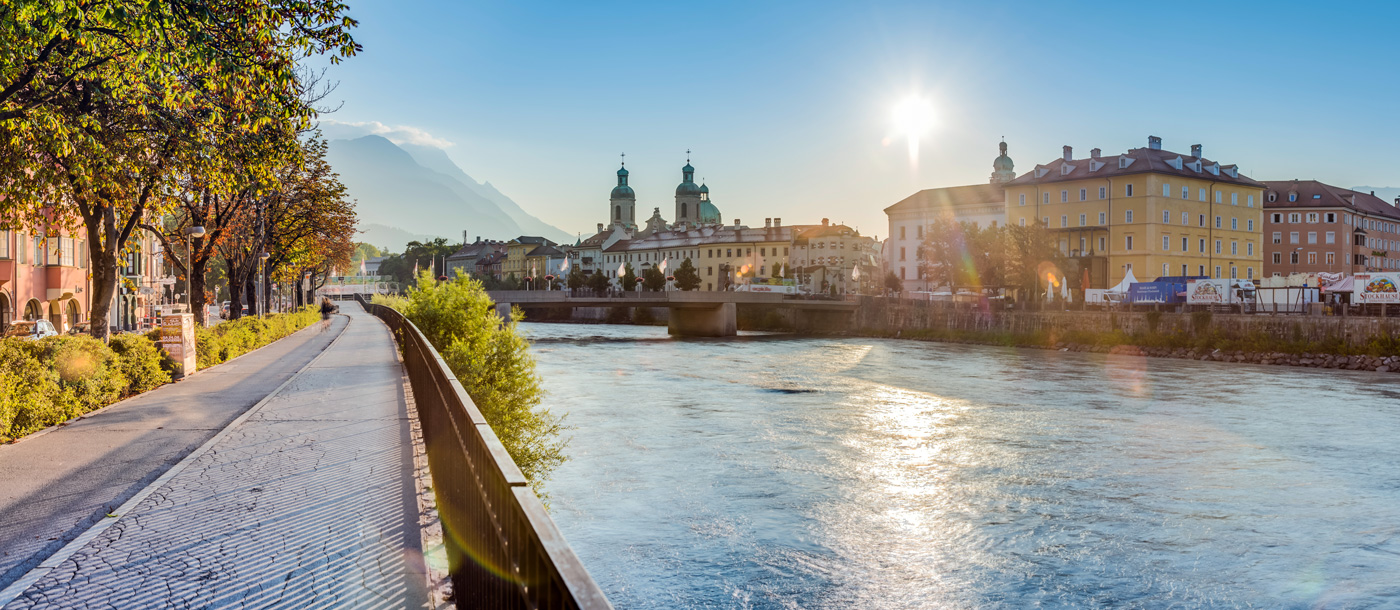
(493, 363)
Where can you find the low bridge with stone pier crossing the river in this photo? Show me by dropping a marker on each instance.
(694, 314)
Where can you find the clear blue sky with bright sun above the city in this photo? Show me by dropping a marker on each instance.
(787, 106)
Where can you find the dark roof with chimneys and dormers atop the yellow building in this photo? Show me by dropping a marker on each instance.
(1143, 162)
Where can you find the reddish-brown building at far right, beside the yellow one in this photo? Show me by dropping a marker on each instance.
(1312, 227)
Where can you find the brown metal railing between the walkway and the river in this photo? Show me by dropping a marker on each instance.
(503, 549)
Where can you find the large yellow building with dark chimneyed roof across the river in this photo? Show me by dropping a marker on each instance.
(1149, 211)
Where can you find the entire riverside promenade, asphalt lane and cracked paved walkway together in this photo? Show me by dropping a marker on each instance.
(282, 479)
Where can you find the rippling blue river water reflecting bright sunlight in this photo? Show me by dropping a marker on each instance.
(772, 472)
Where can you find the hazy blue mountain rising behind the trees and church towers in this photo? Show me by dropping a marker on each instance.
(415, 192)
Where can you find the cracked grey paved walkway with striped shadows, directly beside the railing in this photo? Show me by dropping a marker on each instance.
(307, 504)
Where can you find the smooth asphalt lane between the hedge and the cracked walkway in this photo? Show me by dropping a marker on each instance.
(55, 486)
